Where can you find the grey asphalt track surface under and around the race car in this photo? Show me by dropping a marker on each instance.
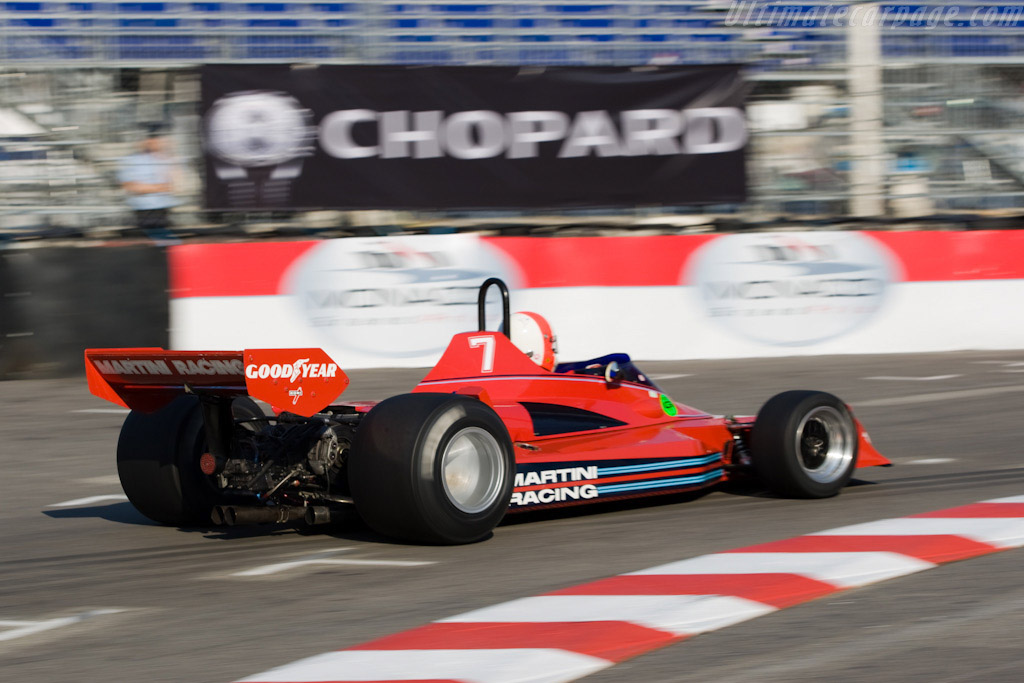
(93, 591)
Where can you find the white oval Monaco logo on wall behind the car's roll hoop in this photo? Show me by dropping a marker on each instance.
(397, 297)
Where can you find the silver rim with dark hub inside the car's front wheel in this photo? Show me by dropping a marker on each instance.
(825, 445)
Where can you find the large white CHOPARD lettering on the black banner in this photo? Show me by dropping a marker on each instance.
(483, 135)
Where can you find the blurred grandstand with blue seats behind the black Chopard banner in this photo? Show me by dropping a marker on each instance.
(947, 78)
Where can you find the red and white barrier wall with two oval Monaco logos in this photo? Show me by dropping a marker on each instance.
(397, 302)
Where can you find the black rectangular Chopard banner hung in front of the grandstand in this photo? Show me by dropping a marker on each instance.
(446, 138)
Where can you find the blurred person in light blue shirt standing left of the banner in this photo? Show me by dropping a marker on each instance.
(150, 177)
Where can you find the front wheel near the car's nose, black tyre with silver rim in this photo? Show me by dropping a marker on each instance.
(804, 445)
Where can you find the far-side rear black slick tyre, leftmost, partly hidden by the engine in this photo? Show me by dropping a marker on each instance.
(158, 461)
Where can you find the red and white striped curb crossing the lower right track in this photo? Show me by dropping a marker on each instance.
(574, 632)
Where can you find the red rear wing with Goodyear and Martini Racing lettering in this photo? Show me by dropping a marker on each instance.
(300, 380)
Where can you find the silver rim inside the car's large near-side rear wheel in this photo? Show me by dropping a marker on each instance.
(472, 471)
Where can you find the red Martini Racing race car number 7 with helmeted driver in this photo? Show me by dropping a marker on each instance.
(495, 428)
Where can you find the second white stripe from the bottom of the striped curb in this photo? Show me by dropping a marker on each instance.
(680, 615)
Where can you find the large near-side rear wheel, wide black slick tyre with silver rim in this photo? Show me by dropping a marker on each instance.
(433, 468)
